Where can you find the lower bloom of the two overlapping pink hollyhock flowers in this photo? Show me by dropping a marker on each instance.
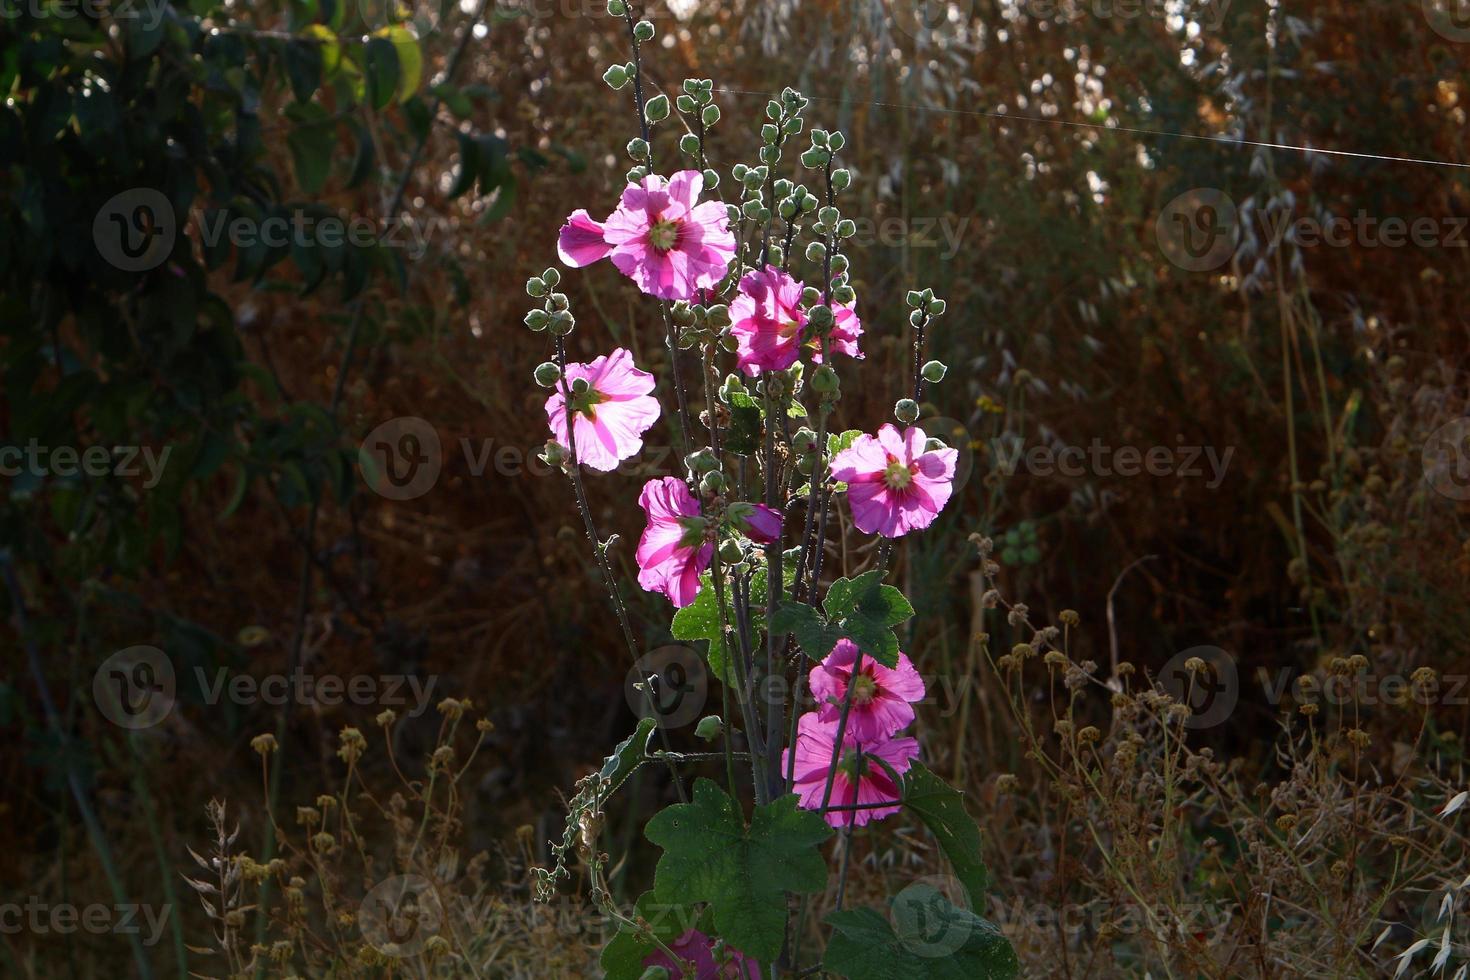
(859, 777)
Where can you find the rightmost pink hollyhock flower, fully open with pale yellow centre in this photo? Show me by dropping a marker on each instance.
(893, 484)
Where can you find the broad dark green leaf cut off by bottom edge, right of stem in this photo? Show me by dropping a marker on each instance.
(934, 941)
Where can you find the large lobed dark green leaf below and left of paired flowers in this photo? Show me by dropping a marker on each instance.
(745, 873)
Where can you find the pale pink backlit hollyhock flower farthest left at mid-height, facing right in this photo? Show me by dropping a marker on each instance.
(612, 414)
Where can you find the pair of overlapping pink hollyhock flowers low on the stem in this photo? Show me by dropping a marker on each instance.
(865, 705)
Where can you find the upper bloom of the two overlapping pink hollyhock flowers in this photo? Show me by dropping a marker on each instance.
(883, 697)
